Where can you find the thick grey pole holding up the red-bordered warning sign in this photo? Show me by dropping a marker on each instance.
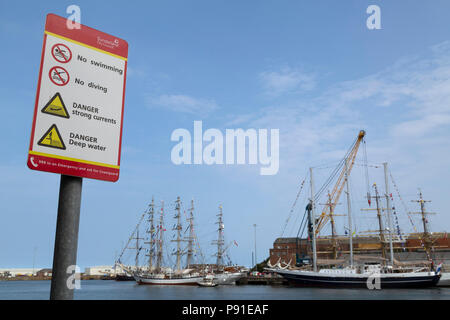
(66, 239)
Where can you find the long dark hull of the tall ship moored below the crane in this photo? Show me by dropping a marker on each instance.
(304, 278)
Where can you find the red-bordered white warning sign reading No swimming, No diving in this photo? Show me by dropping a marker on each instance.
(78, 115)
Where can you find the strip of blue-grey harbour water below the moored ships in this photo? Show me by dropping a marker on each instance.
(115, 290)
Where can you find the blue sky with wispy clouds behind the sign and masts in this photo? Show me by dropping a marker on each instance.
(310, 68)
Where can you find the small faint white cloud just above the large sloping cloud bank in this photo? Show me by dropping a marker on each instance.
(287, 80)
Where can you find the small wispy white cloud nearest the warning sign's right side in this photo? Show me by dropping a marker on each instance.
(183, 103)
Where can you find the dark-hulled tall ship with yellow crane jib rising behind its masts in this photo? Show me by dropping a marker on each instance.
(340, 267)
